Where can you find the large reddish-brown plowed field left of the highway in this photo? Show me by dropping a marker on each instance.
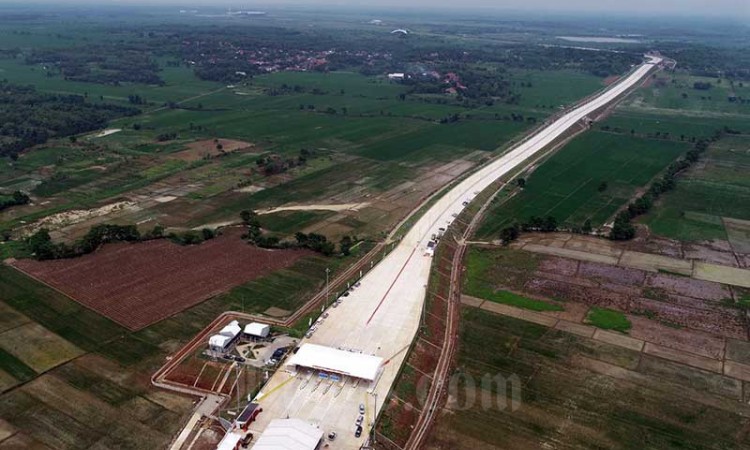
(140, 284)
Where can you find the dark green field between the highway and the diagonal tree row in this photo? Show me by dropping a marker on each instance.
(567, 185)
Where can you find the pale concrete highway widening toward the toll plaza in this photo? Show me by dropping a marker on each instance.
(382, 315)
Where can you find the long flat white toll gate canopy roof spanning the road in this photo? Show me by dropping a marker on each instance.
(329, 359)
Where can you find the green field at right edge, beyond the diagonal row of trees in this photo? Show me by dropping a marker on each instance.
(711, 200)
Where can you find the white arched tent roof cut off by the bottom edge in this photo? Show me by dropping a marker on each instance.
(289, 434)
